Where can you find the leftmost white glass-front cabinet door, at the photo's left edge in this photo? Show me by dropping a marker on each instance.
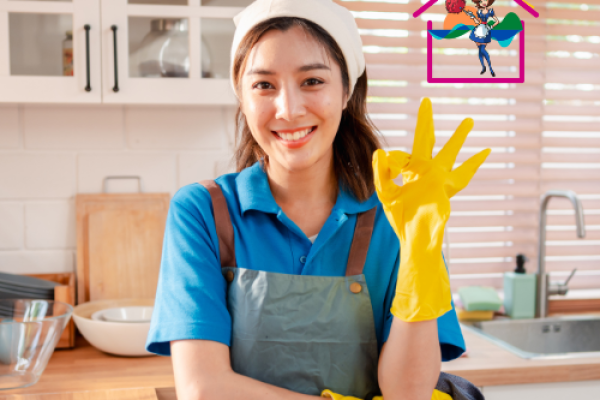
(50, 51)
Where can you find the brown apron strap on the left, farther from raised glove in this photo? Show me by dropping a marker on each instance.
(222, 223)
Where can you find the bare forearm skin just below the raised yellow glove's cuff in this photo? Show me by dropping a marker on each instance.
(409, 363)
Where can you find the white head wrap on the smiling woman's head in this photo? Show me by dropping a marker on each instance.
(335, 19)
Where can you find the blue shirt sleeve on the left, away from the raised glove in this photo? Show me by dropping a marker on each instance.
(191, 293)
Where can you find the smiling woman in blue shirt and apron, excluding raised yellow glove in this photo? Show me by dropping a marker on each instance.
(276, 281)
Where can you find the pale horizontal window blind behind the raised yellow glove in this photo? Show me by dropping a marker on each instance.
(544, 133)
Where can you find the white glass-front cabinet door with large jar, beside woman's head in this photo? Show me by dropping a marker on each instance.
(168, 51)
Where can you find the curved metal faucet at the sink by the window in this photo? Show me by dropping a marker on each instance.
(545, 289)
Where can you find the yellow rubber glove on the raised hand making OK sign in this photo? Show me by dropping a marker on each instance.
(418, 212)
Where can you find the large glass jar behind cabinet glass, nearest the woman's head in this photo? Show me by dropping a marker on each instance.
(164, 52)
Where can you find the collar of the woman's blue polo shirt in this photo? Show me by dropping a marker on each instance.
(255, 194)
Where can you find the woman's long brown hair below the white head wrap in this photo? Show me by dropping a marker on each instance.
(356, 138)
